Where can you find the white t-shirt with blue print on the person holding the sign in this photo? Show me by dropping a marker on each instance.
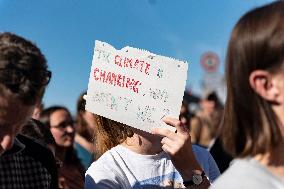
(122, 168)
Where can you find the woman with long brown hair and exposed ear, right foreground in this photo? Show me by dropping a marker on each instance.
(253, 127)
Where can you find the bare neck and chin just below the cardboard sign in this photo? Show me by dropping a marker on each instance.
(143, 143)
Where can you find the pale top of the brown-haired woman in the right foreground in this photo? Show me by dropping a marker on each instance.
(247, 174)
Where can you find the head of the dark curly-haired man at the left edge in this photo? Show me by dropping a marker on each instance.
(23, 77)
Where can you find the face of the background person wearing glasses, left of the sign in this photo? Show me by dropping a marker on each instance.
(62, 128)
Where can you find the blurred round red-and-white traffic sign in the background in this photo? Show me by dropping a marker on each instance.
(210, 61)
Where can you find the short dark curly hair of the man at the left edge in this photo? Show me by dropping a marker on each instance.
(23, 69)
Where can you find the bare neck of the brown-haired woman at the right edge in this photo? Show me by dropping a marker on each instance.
(274, 160)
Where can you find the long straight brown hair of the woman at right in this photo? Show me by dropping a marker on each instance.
(257, 43)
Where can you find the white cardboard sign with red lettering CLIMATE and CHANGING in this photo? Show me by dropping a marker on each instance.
(134, 86)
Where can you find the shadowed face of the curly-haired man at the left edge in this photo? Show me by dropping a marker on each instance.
(13, 115)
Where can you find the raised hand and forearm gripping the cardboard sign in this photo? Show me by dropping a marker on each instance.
(179, 147)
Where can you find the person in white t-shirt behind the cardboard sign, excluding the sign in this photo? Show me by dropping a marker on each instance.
(132, 158)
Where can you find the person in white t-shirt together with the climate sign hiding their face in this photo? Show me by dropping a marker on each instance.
(130, 156)
